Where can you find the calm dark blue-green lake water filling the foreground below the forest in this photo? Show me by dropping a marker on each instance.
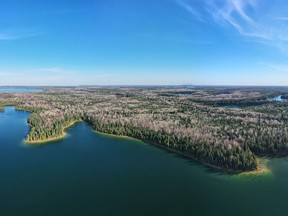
(88, 173)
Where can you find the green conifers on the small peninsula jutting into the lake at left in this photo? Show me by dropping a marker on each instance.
(39, 132)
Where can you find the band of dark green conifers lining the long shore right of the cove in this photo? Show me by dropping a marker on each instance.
(236, 158)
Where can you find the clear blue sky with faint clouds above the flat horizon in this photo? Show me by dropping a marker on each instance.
(143, 42)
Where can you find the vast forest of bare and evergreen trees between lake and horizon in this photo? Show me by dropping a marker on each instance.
(189, 121)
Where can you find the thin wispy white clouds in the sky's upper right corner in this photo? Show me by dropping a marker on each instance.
(253, 19)
